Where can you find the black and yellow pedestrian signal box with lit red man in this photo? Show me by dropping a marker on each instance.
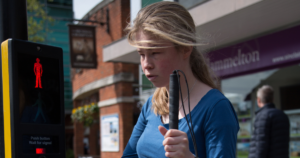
(32, 100)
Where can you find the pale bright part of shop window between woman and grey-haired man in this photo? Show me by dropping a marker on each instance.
(241, 92)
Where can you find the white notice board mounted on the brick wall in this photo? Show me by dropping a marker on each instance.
(110, 133)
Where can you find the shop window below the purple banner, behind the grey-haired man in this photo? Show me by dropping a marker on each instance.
(241, 91)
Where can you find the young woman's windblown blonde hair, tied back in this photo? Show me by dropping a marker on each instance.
(170, 21)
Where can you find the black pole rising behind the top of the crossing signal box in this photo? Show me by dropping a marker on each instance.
(13, 20)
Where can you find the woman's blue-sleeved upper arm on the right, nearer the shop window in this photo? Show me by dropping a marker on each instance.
(221, 130)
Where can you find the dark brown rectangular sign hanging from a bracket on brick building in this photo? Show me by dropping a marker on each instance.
(82, 46)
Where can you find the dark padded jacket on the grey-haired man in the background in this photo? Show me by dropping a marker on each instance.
(271, 135)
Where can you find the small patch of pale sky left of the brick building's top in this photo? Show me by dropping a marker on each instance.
(81, 7)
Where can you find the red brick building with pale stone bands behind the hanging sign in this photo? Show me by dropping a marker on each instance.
(110, 84)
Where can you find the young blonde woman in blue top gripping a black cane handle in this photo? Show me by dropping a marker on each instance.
(165, 36)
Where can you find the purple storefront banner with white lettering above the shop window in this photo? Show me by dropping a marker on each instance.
(267, 52)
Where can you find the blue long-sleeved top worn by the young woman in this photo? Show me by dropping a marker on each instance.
(215, 125)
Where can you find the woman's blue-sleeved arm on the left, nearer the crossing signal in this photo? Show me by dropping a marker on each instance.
(130, 150)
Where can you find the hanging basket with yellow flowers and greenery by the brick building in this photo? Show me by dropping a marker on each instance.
(85, 114)
